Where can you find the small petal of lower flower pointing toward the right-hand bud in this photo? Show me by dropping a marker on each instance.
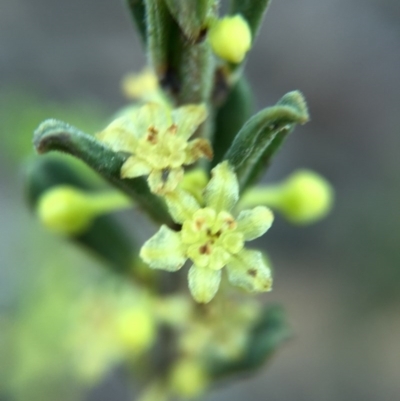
(254, 223)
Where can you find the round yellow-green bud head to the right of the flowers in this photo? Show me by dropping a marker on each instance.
(305, 197)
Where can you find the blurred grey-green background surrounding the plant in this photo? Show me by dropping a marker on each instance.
(338, 279)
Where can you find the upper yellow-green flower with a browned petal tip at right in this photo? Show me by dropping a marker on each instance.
(157, 139)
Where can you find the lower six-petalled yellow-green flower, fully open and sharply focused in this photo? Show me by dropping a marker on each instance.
(212, 238)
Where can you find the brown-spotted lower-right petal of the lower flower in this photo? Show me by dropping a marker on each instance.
(248, 270)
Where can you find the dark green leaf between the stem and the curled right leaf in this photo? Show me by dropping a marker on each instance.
(230, 117)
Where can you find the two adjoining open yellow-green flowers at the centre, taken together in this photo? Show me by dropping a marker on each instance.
(211, 236)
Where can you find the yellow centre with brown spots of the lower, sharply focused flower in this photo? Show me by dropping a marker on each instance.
(212, 238)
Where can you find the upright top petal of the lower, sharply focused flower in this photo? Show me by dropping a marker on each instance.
(222, 191)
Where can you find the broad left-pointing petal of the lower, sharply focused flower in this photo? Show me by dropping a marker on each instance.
(164, 250)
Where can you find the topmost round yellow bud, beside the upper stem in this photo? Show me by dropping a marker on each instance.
(230, 38)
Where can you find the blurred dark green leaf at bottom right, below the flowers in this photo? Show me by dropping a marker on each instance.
(266, 336)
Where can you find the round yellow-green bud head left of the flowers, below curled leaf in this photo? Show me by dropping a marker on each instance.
(65, 210)
